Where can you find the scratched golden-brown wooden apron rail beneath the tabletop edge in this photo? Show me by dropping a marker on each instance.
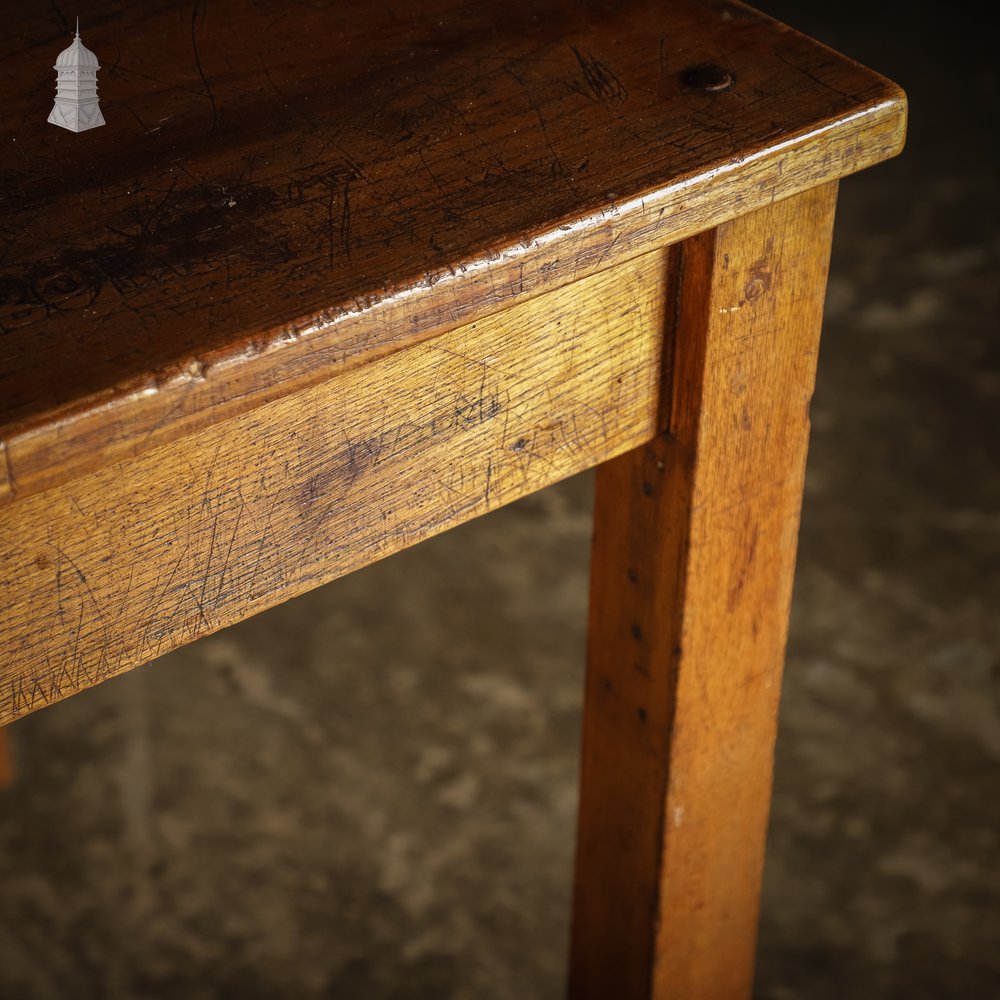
(139, 557)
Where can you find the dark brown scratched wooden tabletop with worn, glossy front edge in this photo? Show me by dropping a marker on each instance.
(284, 190)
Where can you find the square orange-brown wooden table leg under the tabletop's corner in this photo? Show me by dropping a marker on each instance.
(694, 549)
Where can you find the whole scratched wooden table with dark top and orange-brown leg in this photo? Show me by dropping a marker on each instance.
(335, 278)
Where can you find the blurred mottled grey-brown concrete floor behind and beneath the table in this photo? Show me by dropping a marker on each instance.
(370, 791)
